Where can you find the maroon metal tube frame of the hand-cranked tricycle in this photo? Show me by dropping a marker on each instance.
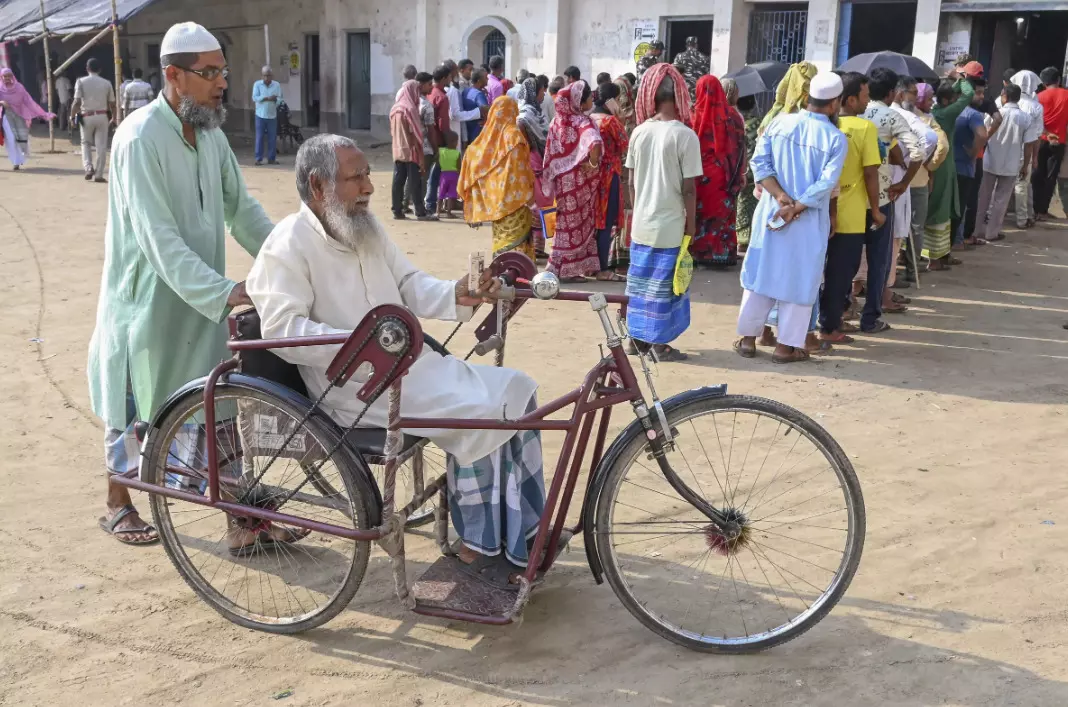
(596, 394)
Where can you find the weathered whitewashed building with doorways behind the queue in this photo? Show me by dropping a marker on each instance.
(340, 61)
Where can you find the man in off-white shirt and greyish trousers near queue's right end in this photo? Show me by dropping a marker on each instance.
(1007, 159)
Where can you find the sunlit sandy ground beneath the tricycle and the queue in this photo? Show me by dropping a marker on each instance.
(955, 422)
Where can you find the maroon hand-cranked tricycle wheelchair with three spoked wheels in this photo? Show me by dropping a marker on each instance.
(725, 524)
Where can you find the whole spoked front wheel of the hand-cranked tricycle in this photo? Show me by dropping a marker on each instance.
(786, 483)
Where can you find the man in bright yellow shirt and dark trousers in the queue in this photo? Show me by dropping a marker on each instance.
(857, 208)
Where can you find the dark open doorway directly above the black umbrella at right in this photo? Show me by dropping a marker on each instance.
(877, 27)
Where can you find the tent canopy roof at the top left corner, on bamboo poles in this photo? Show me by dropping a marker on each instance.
(22, 19)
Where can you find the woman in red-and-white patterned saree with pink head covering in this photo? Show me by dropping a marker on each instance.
(572, 169)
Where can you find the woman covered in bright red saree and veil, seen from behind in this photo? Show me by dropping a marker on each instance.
(723, 135)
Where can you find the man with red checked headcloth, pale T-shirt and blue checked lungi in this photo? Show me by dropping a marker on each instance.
(665, 160)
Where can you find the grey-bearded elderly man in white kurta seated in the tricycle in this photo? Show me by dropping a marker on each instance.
(321, 272)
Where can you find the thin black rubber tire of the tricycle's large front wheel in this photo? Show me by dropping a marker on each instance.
(692, 407)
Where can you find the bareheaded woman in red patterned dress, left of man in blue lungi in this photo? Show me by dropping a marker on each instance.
(610, 213)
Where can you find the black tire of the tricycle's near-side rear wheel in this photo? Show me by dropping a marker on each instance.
(355, 482)
